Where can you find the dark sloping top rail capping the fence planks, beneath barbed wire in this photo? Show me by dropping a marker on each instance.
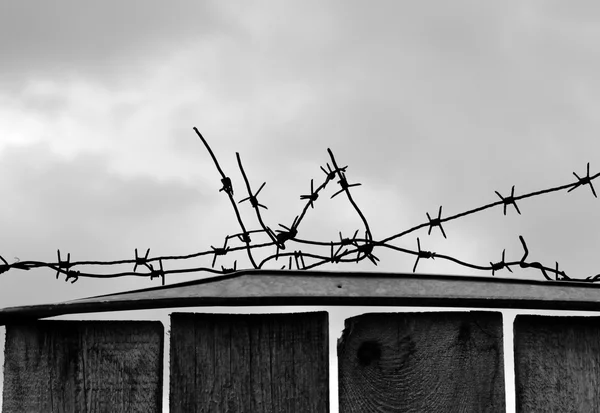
(287, 287)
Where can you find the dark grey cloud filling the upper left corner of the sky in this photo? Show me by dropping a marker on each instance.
(68, 37)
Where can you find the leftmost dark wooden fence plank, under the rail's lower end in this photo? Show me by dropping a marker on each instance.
(83, 366)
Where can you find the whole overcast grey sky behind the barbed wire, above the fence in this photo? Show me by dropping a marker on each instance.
(428, 103)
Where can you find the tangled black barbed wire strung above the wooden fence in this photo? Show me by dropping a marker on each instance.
(347, 250)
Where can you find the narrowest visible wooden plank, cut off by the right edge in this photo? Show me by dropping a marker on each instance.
(557, 363)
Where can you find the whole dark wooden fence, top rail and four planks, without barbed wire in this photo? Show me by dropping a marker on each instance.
(391, 362)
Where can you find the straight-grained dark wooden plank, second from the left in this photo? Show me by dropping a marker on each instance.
(251, 363)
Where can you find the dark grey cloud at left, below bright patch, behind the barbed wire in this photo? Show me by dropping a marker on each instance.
(80, 207)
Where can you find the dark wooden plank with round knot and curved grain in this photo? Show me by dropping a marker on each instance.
(422, 362)
